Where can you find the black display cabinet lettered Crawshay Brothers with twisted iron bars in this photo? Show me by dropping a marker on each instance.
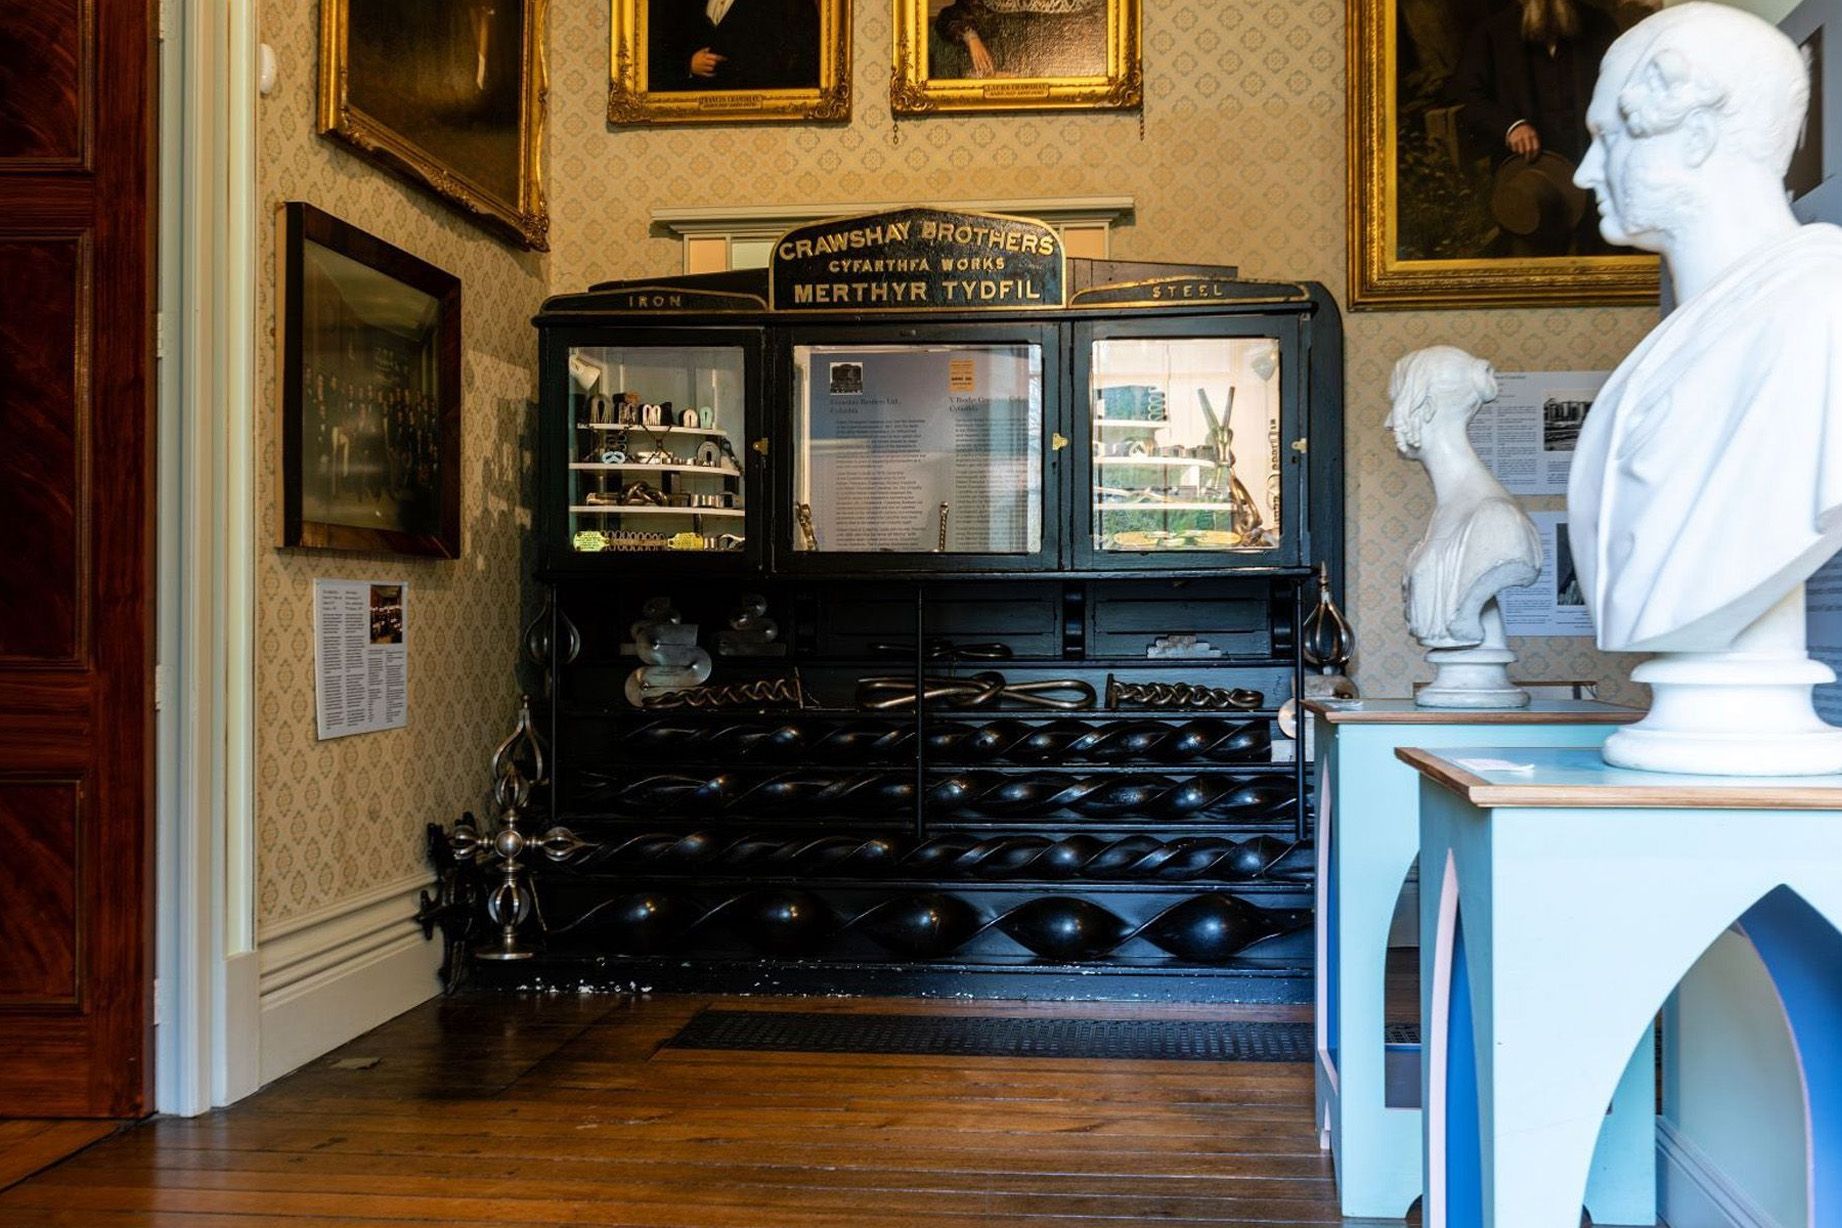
(1077, 505)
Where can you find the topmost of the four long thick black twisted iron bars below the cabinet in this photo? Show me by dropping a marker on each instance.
(870, 741)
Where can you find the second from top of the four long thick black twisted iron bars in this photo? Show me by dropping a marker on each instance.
(881, 794)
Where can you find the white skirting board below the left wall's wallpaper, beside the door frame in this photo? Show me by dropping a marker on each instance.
(338, 973)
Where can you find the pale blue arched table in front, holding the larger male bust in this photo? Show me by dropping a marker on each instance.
(1561, 907)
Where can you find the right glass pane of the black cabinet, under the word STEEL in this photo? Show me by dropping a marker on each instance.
(1187, 454)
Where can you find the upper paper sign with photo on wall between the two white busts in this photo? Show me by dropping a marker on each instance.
(1526, 437)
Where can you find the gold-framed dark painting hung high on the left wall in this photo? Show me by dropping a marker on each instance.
(449, 95)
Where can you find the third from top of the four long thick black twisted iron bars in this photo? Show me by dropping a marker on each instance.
(955, 855)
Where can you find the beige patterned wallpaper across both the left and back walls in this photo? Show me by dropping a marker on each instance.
(1241, 161)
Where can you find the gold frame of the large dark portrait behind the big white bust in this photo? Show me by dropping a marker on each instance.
(1384, 272)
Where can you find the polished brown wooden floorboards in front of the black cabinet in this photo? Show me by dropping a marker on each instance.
(563, 1111)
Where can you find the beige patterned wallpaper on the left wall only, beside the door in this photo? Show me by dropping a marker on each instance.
(340, 818)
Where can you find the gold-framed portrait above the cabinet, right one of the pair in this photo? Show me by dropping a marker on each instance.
(1016, 56)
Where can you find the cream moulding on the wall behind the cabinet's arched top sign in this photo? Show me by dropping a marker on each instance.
(716, 238)
